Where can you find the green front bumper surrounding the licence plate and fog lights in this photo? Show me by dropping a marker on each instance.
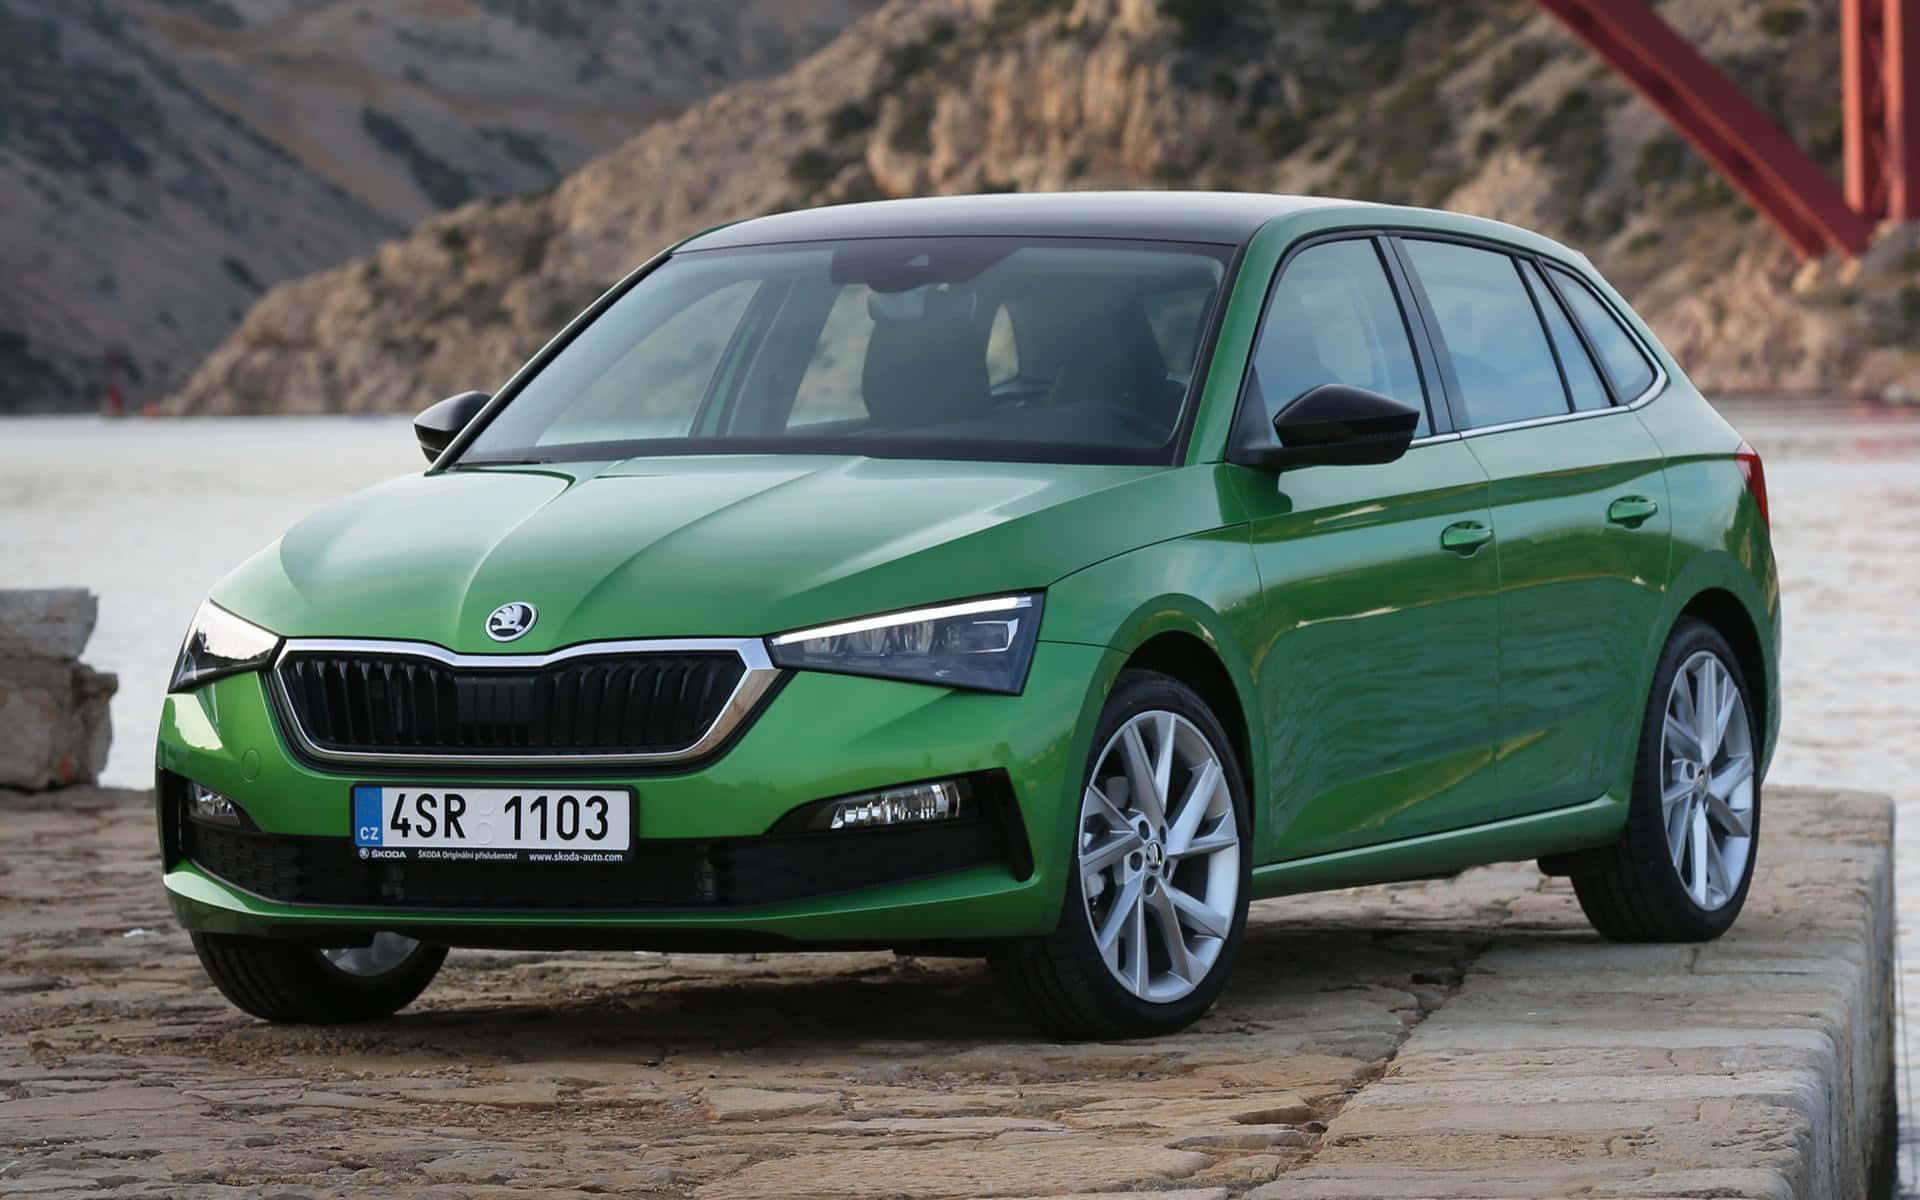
(706, 875)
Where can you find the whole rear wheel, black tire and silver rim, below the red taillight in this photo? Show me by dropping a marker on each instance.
(1644, 888)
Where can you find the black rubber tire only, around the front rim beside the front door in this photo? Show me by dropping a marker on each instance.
(1143, 692)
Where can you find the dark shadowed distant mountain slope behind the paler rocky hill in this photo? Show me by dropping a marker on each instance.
(164, 162)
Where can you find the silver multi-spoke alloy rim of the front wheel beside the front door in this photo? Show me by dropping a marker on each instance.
(1159, 855)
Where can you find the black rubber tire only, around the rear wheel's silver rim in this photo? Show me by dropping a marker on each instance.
(1646, 828)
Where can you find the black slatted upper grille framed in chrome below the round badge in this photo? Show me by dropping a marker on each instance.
(396, 704)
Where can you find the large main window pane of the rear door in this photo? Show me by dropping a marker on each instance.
(1493, 333)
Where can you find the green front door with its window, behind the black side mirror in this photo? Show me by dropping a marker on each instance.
(1380, 588)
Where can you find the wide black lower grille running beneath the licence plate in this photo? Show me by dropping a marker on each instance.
(663, 875)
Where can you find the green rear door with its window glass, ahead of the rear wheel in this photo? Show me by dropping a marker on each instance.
(1579, 508)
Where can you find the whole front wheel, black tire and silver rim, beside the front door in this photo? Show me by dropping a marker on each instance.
(1136, 990)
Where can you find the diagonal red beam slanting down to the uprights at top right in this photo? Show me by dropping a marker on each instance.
(1723, 126)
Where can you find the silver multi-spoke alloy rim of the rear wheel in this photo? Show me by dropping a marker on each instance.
(1708, 780)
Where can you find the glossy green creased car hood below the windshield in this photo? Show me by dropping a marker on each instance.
(698, 546)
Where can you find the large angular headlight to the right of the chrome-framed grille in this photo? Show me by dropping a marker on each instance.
(984, 644)
